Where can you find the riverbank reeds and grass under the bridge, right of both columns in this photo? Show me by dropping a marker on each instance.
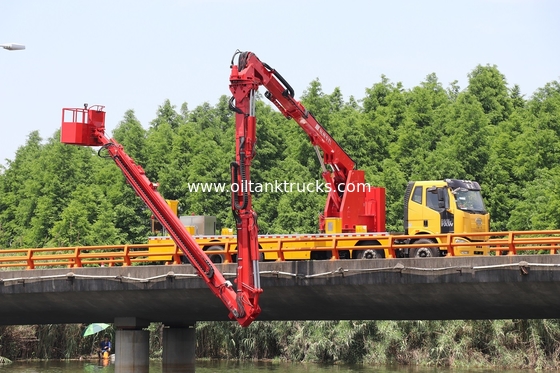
(501, 343)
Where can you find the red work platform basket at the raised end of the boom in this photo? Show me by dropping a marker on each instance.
(80, 125)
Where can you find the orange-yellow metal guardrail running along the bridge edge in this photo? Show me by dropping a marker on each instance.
(500, 243)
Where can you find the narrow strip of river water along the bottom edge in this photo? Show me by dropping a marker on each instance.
(226, 367)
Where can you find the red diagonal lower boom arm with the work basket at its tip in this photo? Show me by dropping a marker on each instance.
(86, 127)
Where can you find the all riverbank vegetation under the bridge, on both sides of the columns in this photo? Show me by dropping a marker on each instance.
(523, 344)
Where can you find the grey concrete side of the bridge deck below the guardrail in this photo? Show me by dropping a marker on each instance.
(494, 287)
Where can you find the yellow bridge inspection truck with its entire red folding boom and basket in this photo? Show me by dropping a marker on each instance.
(353, 222)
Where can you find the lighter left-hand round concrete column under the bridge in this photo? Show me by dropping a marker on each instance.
(132, 345)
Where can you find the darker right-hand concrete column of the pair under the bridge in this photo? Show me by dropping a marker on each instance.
(179, 345)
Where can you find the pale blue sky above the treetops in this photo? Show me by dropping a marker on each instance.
(136, 54)
